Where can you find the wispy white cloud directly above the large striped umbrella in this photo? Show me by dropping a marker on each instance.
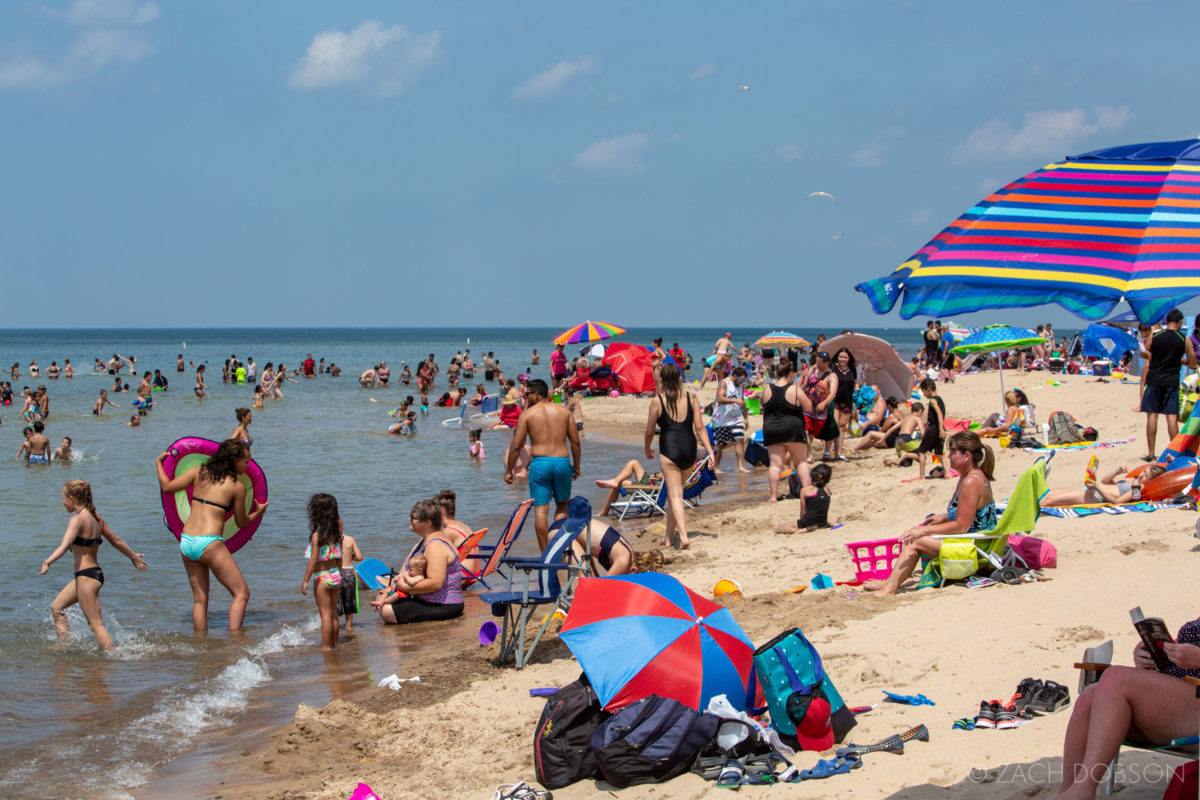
(1043, 134)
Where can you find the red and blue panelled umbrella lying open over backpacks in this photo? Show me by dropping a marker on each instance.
(643, 635)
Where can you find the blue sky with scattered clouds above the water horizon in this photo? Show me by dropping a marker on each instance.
(377, 164)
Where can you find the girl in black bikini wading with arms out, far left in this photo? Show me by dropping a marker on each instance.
(83, 538)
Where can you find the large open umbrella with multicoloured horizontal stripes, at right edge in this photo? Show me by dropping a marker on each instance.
(1084, 233)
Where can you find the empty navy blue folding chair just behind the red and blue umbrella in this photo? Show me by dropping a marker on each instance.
(536, 582)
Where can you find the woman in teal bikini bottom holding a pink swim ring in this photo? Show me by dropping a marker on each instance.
(217, 491)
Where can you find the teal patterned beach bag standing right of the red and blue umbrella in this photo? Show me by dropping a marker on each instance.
(790, 672)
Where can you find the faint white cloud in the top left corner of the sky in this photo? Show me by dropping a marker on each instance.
(111, 34)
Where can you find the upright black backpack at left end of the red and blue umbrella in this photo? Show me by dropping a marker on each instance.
(562, 743)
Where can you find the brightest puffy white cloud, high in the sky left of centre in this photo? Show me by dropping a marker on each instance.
(383, 62)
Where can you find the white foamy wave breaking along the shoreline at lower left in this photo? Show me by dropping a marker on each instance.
(111, 765)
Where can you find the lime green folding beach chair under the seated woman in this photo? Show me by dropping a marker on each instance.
(963, 555)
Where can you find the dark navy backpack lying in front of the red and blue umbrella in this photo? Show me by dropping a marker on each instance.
(651, 741)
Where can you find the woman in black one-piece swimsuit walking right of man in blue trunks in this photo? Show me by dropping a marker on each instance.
(677, 414)
